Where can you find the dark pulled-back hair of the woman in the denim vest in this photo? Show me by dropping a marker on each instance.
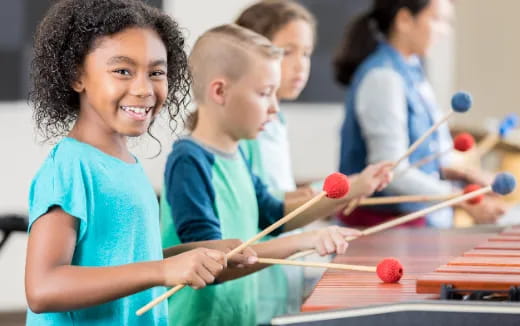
(362, 36)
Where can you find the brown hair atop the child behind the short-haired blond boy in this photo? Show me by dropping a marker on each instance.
(267, 17)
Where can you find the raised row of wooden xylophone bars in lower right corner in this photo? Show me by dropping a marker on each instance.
(491, 269)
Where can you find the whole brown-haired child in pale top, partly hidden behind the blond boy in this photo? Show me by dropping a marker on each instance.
(289, 26)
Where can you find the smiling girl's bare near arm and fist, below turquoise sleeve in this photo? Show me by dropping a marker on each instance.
(53, 284)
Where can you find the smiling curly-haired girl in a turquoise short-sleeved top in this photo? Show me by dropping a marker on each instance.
(102, 71)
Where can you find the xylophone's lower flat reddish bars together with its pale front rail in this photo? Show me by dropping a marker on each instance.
(365, 300)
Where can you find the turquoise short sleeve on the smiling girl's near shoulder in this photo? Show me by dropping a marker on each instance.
(63, 184)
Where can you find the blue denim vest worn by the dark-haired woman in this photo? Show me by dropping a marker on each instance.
(353, 157)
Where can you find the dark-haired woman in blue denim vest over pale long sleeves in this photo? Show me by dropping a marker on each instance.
(390, 104)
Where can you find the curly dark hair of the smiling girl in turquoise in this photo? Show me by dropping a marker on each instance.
(68, 33)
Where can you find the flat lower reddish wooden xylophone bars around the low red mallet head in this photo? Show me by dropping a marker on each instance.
(419, 250)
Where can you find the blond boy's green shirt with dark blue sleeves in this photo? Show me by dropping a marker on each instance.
(211, 195)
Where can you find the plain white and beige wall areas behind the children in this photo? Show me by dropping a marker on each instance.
(486, 64)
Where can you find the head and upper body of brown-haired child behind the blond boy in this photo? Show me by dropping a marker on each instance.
(292, 28)
